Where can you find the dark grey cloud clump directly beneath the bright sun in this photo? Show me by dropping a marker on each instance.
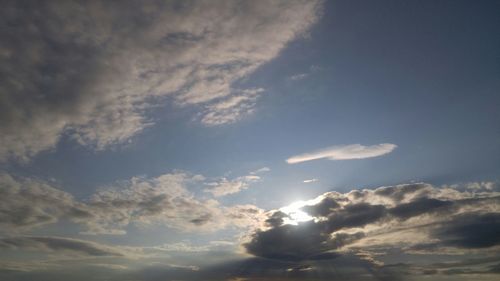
(310, 240)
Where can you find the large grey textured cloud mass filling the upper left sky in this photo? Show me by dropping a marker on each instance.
(91, 71)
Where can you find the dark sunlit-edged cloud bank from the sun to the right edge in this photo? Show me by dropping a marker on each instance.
(407, 217)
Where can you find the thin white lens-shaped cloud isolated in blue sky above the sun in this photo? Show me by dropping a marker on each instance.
(345, 152)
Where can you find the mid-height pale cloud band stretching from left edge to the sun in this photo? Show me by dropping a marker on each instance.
(29, 203)
